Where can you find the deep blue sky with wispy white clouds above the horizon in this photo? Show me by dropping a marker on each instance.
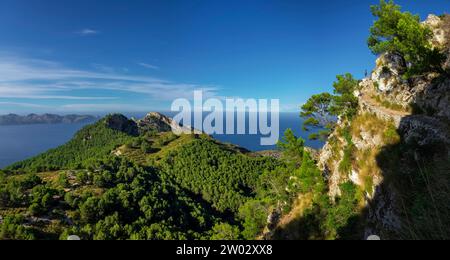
(101, 56)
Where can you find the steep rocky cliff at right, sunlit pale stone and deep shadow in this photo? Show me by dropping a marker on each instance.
(397, 149)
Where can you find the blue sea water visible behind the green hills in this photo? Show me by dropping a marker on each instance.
(24, 141)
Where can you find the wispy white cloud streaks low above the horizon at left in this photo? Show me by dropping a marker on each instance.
(35, 79)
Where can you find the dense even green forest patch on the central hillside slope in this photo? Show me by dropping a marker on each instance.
(224, 178)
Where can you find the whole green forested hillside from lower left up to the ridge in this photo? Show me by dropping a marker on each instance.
(194, 191)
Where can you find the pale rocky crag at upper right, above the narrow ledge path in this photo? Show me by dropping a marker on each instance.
(429, 93)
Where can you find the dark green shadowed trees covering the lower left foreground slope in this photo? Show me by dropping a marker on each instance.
(125, 202)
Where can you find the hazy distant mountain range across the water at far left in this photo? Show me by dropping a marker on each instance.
(13, 119)
